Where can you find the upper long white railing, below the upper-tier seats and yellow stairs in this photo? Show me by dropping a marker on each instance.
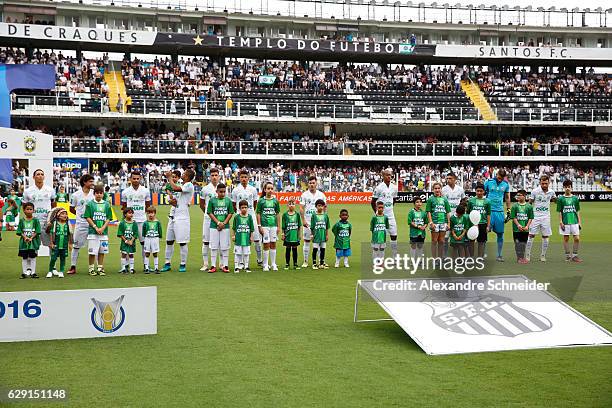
(27, 104)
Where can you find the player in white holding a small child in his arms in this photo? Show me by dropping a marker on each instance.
(182, 227)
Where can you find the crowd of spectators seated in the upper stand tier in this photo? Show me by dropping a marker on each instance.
(204, 79)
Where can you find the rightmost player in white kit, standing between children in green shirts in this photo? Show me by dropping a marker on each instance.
(540, 199)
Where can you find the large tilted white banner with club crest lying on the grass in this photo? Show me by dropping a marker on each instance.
(486, 321)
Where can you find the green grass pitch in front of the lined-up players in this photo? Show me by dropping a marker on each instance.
(287, 339)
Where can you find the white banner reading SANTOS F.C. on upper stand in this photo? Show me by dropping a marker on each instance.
(529, 53)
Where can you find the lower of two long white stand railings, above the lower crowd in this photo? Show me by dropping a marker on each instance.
(349, 150)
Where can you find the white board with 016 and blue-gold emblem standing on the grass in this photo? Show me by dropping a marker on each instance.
(73, 314)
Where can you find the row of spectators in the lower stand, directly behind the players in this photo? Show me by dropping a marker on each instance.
(348, 177)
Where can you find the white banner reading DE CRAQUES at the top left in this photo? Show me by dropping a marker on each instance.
(80, 34)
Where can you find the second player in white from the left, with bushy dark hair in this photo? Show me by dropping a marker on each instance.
(78, 202)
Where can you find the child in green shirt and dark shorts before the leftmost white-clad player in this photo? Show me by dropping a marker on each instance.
(28, 230)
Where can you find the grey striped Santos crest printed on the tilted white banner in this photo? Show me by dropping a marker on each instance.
(487, 315)
